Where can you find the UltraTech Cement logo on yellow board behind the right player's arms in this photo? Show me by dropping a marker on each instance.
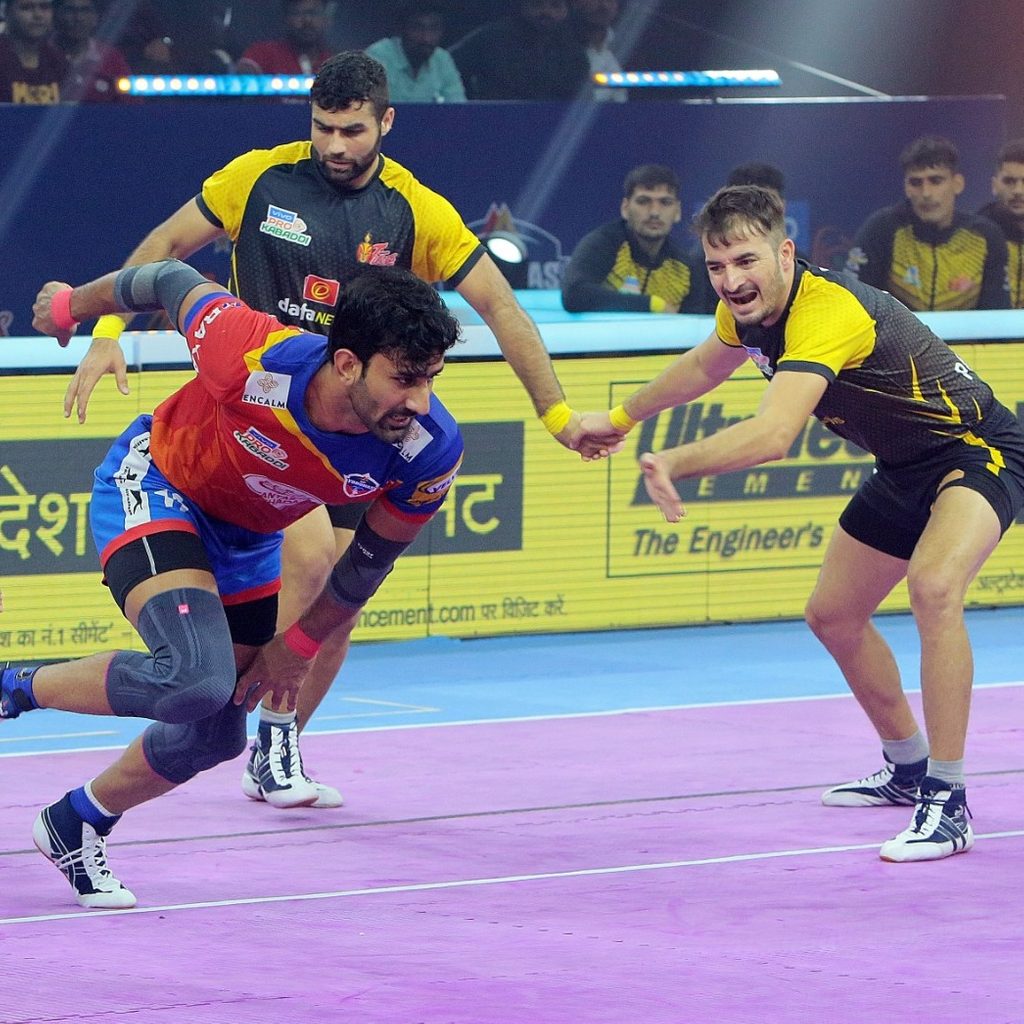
(820, 464)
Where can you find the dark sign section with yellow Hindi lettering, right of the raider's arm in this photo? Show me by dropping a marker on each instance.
(483, 510)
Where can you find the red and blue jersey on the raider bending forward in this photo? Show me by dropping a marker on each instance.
(238, 442)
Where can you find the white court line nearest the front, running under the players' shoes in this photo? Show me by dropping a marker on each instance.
(420, 887)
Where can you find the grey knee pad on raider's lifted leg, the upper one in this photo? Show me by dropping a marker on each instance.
(190, 672)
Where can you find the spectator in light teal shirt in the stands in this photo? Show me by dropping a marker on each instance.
(419, 70)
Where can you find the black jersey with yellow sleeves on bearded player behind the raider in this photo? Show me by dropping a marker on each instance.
(297, 236)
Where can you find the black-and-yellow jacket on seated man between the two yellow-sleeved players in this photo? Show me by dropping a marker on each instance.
(610, 271)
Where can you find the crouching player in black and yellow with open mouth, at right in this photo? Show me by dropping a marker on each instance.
(949, 483)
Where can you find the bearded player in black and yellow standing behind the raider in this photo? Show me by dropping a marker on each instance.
(301, 217)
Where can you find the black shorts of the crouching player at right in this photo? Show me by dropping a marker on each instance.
(891, 508)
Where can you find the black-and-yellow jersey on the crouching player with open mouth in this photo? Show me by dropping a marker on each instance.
(895, 389)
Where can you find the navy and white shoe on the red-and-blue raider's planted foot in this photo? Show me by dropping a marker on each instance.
(80, 855)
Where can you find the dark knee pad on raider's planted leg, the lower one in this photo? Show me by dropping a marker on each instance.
(180, 752)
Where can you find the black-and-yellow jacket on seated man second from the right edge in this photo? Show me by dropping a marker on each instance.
(963, 267)
